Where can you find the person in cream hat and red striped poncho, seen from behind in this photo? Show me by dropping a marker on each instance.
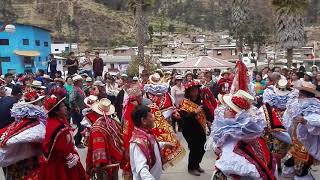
(105, 145)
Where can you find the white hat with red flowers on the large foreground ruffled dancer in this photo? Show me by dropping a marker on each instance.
(239, 101)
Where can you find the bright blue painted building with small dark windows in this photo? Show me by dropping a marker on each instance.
(27, 49)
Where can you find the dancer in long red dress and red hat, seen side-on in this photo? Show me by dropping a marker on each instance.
(60, 157)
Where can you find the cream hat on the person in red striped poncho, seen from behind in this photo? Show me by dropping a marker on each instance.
(103, 107)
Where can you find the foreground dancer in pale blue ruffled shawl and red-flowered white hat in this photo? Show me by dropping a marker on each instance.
(242, 153)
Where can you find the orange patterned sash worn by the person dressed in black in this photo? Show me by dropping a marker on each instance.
(191, 107)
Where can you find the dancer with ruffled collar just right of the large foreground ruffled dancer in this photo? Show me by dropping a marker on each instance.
(275, 99)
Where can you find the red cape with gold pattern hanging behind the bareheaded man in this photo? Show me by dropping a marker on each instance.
(163, 132)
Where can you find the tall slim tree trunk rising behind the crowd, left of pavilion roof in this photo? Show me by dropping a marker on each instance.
(140, 9)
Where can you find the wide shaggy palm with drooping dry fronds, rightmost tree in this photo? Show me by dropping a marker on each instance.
(290, 24)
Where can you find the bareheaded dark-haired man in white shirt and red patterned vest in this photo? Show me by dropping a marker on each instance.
(145, 158)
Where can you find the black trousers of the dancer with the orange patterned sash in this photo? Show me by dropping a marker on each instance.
(196, 140)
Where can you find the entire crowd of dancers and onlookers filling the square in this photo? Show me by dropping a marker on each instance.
(254, 121)
